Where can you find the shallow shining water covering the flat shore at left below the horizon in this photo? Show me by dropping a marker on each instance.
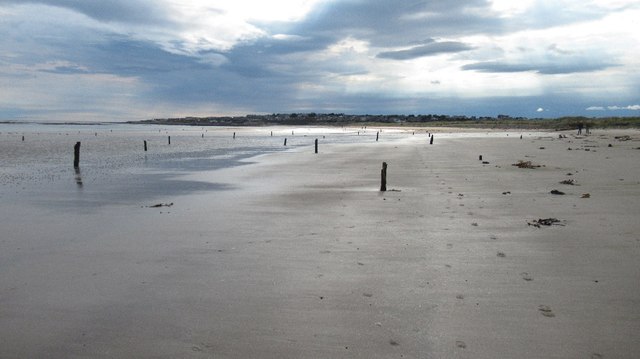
(115, 169)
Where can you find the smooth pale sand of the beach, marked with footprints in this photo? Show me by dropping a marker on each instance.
(300, 256)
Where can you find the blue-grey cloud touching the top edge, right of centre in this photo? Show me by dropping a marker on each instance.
(399, 23)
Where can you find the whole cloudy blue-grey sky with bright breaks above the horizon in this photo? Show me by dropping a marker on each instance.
(86, 60)
